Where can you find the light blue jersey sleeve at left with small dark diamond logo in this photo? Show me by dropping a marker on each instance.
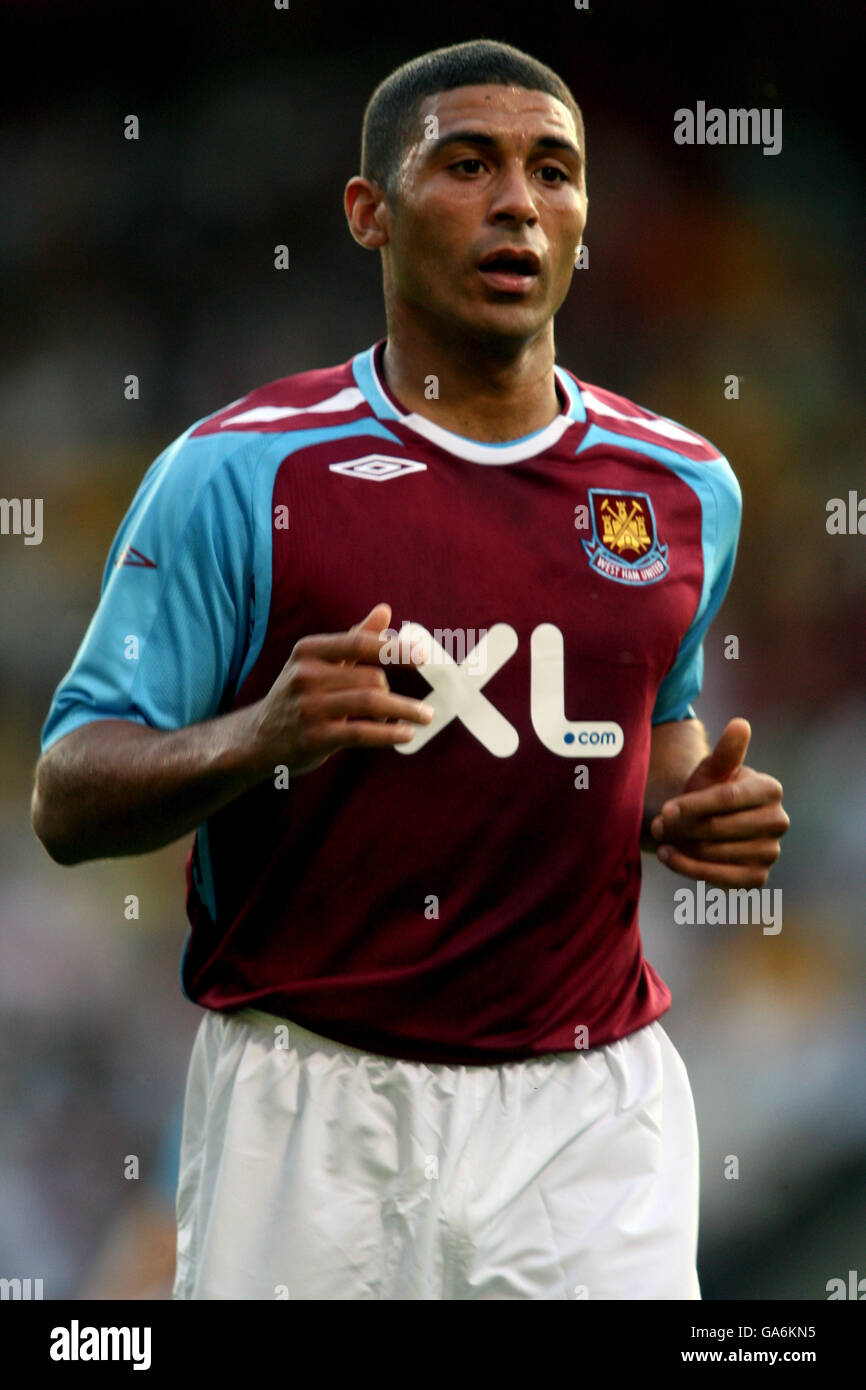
(173, 621)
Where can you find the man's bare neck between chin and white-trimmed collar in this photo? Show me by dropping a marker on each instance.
(466, 390)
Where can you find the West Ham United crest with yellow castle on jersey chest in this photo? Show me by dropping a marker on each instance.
(625, 544)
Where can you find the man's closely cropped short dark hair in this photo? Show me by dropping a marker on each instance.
(391, 115)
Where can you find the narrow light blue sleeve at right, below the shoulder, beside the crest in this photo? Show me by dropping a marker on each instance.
(722, 512)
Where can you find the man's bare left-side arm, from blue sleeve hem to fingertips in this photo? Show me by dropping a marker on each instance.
(115, 787)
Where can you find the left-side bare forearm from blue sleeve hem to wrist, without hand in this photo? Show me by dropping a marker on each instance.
(115, 787)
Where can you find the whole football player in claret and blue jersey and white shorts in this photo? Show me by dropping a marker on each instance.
(414, 641)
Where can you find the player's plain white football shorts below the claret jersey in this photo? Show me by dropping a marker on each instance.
(318, 1171)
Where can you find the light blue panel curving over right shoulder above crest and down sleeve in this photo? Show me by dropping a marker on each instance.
(718, 490)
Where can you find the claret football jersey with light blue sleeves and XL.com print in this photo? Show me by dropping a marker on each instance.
(473, 897)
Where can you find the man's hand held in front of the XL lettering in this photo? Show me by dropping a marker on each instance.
(333, 694)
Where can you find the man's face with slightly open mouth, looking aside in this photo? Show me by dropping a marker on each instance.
(503, 173)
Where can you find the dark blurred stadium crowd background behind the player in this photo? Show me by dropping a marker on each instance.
(156, 258)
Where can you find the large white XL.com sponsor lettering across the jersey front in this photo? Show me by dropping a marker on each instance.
(458, 694)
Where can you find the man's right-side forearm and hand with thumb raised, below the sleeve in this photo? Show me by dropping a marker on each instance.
(708, 815)
